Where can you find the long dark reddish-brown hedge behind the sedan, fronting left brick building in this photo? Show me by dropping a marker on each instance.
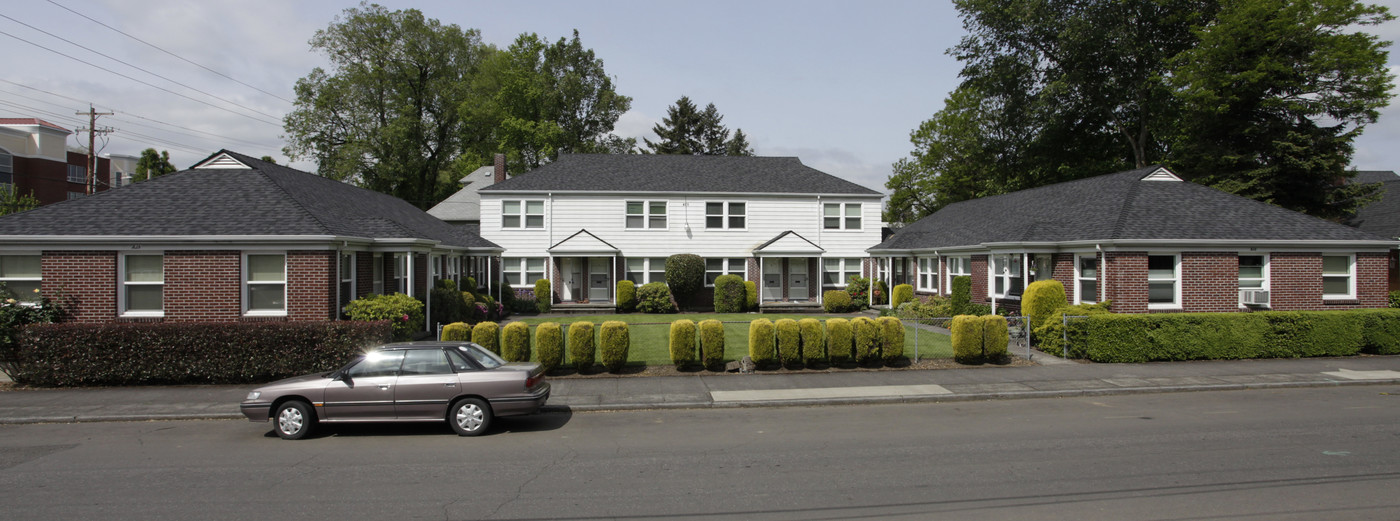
(181, 354)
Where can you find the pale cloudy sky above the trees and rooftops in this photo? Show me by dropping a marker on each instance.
(838, 86)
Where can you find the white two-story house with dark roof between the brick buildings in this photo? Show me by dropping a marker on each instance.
(586, 222)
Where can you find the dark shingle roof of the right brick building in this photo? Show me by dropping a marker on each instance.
(1115, 208)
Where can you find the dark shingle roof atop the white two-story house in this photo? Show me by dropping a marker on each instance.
(633, 173)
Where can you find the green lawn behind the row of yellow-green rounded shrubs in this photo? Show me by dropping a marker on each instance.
(650, 335)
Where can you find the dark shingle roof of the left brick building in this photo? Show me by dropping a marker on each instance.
(265, 200)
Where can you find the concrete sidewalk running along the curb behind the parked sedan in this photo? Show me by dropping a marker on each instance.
(703, 390)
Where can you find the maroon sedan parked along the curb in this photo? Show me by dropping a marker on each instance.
(458, 383)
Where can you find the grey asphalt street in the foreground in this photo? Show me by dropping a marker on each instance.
(1276, 454)
